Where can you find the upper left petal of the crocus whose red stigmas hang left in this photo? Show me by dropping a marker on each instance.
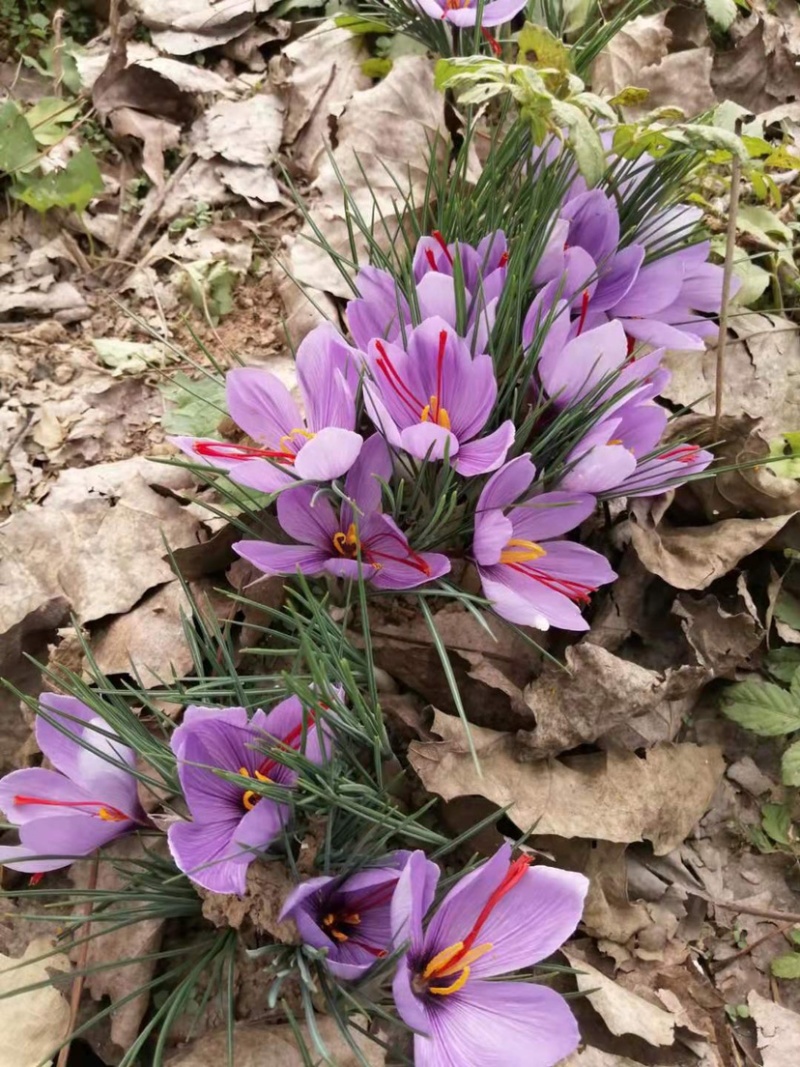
(262, 405)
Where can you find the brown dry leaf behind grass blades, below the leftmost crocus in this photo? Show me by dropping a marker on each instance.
(124, 946)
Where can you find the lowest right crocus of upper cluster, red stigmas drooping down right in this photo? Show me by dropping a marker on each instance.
(529, 572)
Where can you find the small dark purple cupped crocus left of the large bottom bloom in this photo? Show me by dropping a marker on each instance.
(349, 917)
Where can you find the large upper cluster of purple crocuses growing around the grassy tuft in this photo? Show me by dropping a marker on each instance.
(421, 374)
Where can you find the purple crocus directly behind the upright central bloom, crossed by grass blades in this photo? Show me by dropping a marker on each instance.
(383, 312)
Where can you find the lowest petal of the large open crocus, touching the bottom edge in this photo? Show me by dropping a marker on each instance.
(513, 1024)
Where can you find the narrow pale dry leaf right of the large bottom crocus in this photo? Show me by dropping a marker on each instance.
(622, 1011)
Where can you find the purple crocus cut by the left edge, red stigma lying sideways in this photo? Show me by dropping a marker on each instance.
(87, 802)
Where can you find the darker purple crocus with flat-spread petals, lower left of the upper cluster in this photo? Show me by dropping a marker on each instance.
(358, 542)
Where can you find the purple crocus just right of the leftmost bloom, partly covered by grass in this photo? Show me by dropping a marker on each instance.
(231, 824)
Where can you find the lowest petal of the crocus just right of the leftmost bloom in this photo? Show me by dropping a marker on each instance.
(203, 852)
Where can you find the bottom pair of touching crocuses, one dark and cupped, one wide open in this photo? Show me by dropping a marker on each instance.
(504, 917)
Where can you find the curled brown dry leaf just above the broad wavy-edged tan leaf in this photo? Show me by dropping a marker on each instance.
(599, 693)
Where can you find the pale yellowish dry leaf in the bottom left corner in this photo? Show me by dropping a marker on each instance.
(34, 1024)
